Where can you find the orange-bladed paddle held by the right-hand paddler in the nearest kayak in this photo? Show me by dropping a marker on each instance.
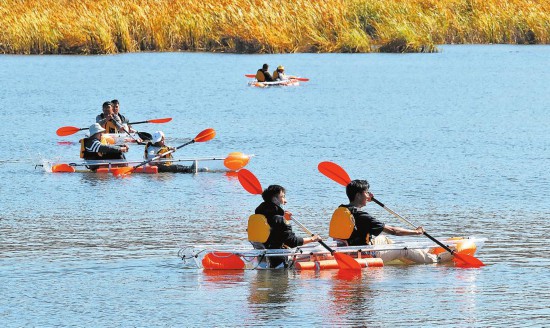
(336, 173)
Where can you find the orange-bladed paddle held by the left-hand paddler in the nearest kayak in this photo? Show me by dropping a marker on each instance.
(251, 184)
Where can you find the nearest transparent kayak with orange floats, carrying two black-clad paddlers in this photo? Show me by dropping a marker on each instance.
(315, 257)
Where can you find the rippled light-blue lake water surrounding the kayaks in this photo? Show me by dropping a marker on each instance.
(456, 141)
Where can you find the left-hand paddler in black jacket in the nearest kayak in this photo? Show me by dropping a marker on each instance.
(280, 235)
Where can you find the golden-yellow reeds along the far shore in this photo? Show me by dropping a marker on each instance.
(266, 26)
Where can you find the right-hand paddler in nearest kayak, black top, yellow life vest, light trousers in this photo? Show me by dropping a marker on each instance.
(366, 229)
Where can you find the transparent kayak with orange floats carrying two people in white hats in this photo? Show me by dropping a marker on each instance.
(232, 162)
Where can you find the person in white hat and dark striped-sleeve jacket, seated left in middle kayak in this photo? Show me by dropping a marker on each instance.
(91, 148)
